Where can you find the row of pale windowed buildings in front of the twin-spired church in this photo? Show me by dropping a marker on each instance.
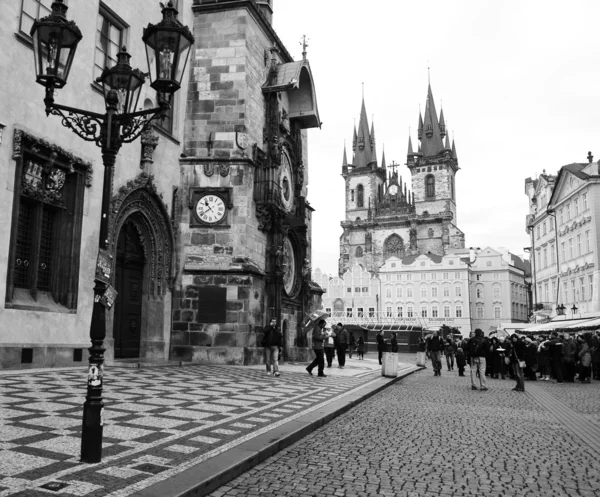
(480, 289)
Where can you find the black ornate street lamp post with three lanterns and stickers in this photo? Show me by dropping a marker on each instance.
(55, 40)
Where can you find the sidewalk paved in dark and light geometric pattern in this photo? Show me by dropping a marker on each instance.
(158, 422)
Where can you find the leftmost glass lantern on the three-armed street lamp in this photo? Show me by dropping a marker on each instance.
(55, 41)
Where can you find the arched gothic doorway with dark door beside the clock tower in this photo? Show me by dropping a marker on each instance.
(141, 241)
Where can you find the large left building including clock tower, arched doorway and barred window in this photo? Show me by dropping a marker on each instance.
(209, 227)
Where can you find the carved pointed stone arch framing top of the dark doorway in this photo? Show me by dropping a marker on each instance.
(139, 203)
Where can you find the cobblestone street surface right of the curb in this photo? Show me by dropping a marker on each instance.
(434, 436)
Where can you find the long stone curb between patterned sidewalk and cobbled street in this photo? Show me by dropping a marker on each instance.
(209, 475)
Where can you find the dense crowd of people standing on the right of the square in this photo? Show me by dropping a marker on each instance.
(558, 357)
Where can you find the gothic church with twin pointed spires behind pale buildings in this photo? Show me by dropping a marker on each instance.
(386, 217)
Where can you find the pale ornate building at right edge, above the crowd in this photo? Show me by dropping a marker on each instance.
(563, 214)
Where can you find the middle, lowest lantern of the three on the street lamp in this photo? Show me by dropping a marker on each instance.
(125, 81)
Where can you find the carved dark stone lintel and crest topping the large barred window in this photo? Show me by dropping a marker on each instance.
(54, 160)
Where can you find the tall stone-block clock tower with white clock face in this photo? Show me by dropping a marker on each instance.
(244, 222)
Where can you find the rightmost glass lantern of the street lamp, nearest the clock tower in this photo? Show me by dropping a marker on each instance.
(168, 46)
